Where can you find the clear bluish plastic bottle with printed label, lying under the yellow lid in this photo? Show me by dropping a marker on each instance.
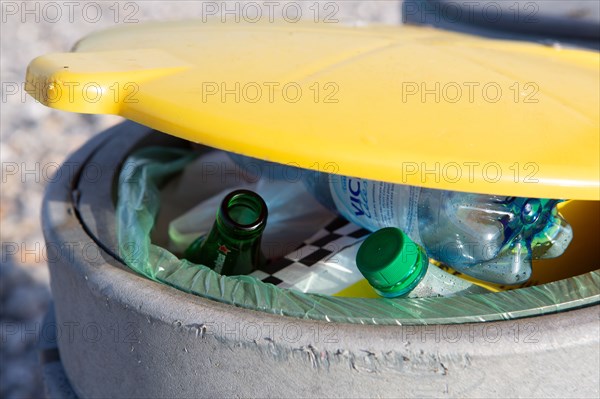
(492, 238)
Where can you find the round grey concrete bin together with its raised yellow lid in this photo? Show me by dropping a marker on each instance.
(122, 335)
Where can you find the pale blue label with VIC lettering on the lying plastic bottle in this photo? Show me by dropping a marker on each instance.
(374, 205)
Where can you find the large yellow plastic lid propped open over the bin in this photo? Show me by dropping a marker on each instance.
(404, 104)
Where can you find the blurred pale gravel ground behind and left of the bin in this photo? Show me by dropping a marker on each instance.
(34, 140)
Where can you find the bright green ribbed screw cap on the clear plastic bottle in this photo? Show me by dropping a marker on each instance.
(391, 262)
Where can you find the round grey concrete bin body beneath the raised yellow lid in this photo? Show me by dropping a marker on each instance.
(121, 335)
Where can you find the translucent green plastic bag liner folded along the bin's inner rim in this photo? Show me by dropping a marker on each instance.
(148, 170)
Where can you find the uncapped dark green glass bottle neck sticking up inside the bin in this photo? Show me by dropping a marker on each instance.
(232, 247)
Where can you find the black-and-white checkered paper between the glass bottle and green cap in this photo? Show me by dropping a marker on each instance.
(313, 267)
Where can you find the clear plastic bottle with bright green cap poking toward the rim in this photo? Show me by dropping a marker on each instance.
(397, 267)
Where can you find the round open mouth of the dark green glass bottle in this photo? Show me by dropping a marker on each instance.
(244, 211)
